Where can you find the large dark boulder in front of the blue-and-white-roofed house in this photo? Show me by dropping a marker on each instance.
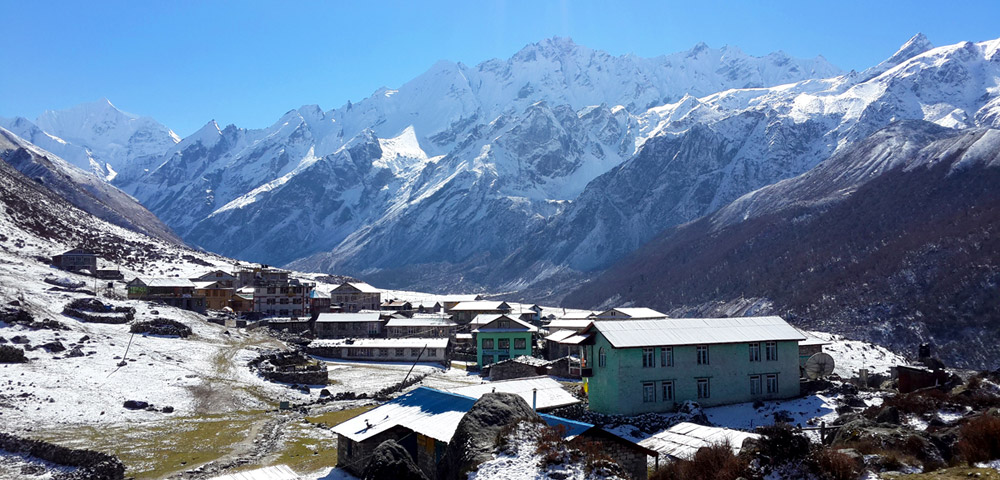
(475, 438)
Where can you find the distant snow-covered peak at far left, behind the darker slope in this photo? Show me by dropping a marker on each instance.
(97, 136)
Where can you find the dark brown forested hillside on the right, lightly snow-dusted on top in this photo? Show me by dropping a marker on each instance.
(893, 240)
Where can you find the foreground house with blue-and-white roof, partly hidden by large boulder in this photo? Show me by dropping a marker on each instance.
(424, 420)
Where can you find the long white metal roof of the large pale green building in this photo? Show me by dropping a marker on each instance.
(695, 331)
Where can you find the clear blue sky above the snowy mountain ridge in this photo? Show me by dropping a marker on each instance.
(188, 62)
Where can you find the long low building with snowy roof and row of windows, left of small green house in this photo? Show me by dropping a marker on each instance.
(384, 349)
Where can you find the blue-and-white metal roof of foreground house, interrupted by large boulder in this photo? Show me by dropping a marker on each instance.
(429, 412)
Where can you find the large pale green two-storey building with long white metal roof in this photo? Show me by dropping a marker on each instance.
(639, 366)
